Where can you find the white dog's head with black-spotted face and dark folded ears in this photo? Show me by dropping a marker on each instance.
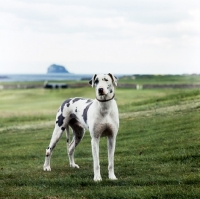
(104, 85)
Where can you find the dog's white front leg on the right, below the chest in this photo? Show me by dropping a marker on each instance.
(111, 151)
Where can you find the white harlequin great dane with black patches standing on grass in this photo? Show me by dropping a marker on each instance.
(99, 116)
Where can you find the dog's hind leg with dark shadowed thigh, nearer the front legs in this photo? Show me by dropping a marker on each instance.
(78, 132)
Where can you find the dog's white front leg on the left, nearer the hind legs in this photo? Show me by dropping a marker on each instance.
(95, 154)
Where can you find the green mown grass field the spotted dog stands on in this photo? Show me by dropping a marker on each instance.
(157, 152)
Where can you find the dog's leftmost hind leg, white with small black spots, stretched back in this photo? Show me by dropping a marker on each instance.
(57, 133)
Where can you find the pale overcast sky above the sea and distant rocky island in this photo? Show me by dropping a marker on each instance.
(100, 36)
